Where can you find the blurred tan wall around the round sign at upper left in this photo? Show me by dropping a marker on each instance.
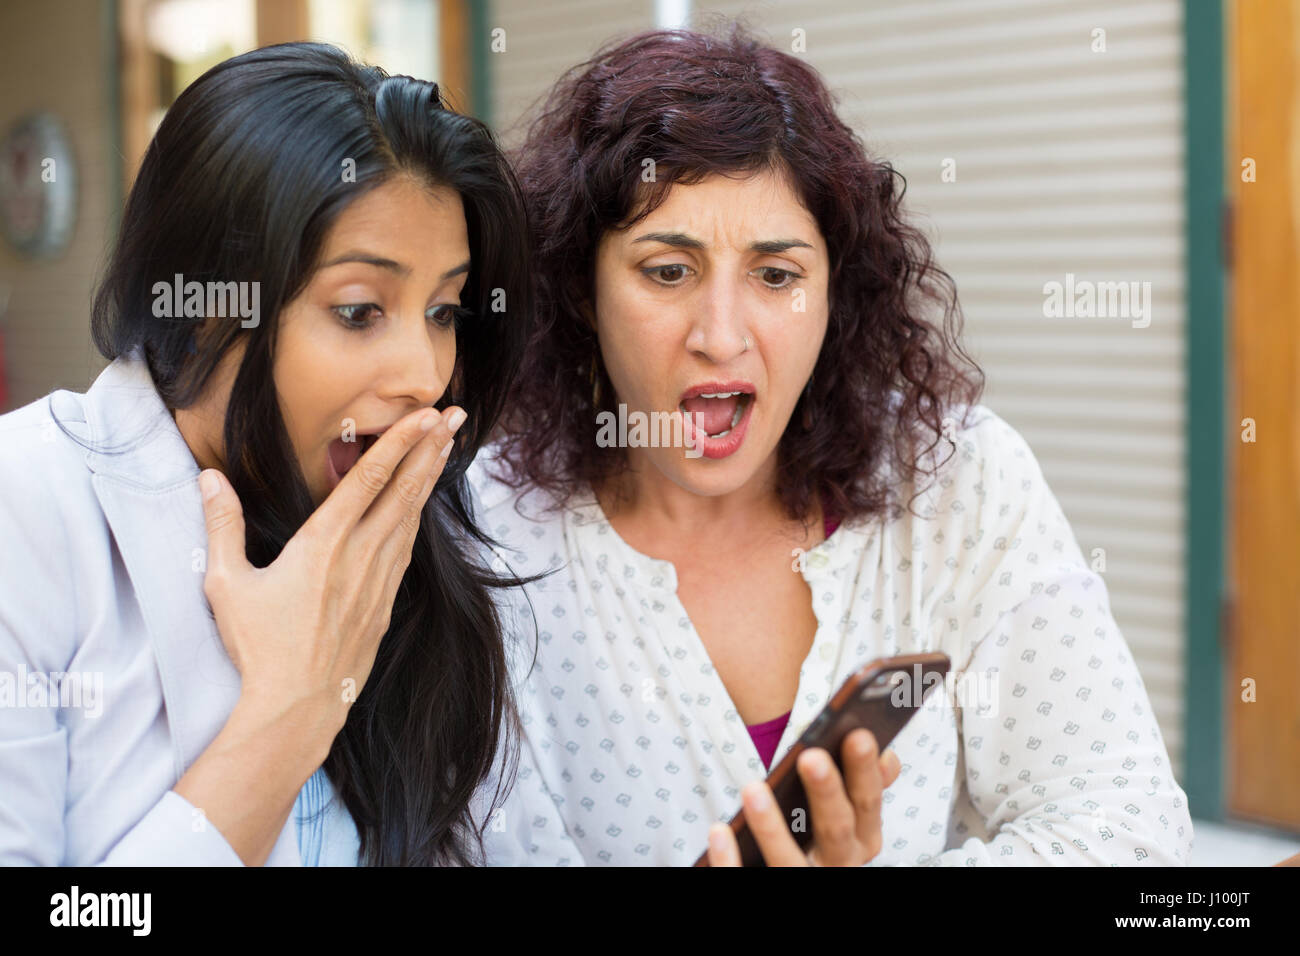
(53, 57)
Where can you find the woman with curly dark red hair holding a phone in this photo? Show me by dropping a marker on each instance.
(717, 252)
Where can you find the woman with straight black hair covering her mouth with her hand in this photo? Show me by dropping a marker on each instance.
(309, 296)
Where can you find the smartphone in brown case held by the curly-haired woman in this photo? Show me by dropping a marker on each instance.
(882, 697)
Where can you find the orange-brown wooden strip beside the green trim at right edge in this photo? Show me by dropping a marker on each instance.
(1263, 736)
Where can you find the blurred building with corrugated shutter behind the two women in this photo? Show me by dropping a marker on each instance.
(1154, 142)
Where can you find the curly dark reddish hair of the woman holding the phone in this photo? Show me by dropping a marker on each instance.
(701, 105)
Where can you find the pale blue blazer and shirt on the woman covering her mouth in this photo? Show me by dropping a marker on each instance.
(114, 678)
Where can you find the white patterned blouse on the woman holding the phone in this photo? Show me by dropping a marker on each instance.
(1042, 750)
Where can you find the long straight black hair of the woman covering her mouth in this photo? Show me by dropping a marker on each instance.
(248, 172)
